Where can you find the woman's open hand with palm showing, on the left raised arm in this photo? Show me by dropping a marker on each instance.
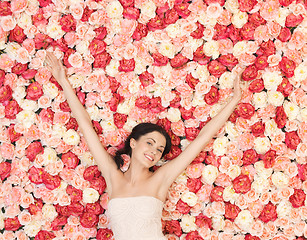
(56, 67)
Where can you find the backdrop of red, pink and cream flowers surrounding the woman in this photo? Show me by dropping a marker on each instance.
(168, 62)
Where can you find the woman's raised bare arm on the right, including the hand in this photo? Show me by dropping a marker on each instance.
(172, 169)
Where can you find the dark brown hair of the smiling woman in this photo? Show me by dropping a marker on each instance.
(137, 132)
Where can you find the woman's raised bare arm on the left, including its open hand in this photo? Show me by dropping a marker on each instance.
(104, 161)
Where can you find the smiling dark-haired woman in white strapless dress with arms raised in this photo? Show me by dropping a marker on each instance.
(137, 195)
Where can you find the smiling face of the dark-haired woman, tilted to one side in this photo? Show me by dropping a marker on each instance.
(148, 148)
